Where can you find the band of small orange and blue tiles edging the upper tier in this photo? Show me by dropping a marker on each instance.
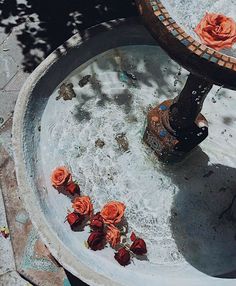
(193, 46)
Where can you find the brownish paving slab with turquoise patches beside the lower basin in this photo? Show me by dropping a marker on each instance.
(32, 258)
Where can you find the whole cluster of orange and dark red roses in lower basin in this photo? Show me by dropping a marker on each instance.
(106, 225)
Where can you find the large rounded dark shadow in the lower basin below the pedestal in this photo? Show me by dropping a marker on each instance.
(203, 216)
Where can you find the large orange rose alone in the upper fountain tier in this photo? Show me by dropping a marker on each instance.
(217, 31)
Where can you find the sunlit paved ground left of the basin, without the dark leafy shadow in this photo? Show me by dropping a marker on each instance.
(22, 251)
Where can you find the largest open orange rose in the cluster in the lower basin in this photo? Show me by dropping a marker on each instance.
(113, 212)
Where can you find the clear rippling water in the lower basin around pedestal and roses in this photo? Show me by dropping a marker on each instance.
(176, 209)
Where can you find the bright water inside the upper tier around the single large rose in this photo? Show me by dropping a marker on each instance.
(188, 14)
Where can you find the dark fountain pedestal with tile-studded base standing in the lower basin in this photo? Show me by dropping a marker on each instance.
(175, 127)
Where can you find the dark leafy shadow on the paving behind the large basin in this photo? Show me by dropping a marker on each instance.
(44, 25)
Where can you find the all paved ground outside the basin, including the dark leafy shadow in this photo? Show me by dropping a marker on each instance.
(29, 31)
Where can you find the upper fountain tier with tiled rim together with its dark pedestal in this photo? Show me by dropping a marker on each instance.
(173, 132)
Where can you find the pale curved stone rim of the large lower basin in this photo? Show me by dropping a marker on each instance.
(68, 261)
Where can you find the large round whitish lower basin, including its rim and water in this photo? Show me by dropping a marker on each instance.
(181, 211)
